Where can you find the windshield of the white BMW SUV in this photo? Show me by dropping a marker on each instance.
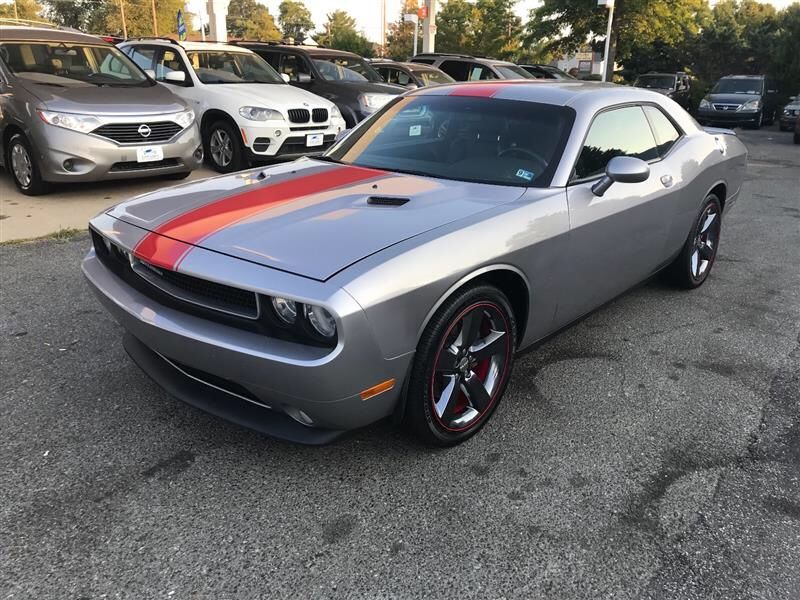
(222, 66)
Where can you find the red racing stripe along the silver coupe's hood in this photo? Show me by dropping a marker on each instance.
(168, 244)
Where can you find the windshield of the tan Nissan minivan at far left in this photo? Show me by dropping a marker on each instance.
(68, 65)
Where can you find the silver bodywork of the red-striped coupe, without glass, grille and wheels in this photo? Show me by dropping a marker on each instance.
(383, 271)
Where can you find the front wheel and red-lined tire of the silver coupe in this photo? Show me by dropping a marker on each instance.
(462, 366)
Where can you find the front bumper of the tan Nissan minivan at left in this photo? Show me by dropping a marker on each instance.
(96, 158)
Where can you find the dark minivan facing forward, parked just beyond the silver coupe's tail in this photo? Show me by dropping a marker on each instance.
(747, 100)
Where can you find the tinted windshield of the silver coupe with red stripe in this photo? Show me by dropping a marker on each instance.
(484, 140)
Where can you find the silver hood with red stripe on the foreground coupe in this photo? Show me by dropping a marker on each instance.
(310, 218)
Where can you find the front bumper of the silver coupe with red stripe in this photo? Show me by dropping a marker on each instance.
(254, 380)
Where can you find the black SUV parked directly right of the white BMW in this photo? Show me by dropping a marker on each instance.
(344, 78)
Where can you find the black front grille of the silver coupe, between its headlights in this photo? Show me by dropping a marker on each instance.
(202, 292)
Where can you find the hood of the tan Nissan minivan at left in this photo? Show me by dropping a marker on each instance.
(107, 101)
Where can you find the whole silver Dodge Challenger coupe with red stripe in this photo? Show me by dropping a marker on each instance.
(398, 274)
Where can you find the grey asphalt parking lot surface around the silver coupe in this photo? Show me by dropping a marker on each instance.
(650, 451)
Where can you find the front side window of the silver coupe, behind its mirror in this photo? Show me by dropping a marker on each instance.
(617, 132)
